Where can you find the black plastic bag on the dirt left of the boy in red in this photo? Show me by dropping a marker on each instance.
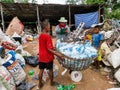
(31, 60)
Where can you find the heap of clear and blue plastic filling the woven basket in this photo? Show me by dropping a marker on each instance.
(76, 50)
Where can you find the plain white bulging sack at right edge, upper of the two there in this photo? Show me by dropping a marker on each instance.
(114, 58)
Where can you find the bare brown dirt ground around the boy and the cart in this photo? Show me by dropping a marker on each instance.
(91, 80)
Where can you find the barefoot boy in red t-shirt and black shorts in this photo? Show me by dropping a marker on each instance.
(46, 53)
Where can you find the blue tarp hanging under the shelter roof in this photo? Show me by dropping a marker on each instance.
(88, 19)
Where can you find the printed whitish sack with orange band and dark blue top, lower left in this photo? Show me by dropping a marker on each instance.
(16, 71)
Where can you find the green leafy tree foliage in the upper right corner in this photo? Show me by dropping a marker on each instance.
(113, 4)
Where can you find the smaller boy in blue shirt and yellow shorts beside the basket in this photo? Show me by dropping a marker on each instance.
(97, 40)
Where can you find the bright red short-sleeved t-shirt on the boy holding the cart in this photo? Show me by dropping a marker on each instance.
(45, 43)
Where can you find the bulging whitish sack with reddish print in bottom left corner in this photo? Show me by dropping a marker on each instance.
(6, 80)
